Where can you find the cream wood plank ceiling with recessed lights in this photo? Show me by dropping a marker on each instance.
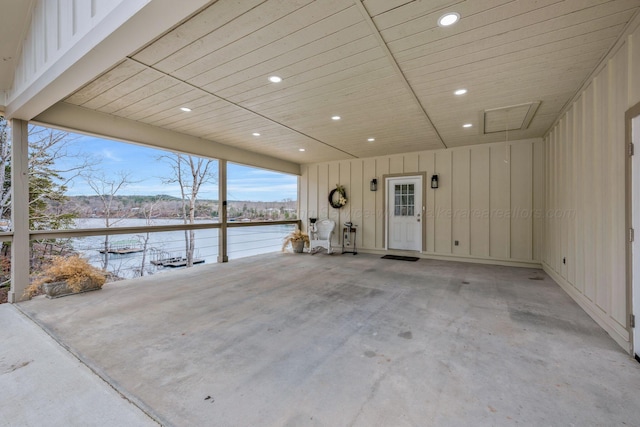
(384, 66)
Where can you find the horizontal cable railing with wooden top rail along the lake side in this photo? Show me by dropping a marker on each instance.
(143, 250)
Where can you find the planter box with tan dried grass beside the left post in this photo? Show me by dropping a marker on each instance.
(65, 276)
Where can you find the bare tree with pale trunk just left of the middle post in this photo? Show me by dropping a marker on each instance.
(190, 173)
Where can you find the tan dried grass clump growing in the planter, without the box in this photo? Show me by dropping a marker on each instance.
(76, 272)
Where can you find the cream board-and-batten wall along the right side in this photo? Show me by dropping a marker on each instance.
(585, 189)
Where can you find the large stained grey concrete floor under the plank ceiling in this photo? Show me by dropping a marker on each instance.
(342, 340)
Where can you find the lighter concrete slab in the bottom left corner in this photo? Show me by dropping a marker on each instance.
(42, 384)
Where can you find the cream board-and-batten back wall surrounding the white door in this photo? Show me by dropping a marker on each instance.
(490, 199)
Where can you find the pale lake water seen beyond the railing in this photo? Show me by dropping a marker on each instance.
(241, 242)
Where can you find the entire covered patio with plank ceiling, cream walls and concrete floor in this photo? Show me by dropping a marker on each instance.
(503, 143)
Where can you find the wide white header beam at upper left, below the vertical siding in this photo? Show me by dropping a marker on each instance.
(89, 57)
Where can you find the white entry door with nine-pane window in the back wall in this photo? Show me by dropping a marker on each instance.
(404, 213)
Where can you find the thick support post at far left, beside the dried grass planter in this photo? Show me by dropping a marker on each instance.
(19, 210)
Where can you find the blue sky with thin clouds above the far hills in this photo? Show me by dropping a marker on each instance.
(147, 172)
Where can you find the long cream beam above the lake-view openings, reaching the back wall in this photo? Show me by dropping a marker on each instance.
(81, 120)
